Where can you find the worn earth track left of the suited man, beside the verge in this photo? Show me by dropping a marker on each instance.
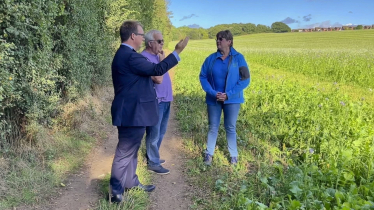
(81, 189)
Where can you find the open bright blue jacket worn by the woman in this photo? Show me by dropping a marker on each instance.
(237, 79)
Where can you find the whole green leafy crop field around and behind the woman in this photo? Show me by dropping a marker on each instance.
(305, 132)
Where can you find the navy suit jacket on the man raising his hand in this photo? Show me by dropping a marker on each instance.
(135, 101)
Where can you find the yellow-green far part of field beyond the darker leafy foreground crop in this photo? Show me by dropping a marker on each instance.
(338, 56)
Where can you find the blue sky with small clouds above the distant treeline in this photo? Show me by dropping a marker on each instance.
(295, 13)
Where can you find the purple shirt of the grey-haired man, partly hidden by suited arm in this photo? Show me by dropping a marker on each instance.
(164, 90)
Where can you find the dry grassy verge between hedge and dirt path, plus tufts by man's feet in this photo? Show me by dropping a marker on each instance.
(48, 155)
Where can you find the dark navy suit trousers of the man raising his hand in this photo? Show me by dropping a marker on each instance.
(126, 159)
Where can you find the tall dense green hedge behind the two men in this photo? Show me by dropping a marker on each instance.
(55, 51)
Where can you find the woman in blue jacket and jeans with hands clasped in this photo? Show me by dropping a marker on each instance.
(224, 75)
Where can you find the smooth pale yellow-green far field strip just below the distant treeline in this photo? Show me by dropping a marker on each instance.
(341, 40)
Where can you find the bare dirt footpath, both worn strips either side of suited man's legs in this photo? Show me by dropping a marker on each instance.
(81, 189)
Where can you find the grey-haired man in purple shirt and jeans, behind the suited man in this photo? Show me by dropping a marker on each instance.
(162, 84)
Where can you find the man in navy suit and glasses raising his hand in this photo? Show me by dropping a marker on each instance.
(135, 104)
